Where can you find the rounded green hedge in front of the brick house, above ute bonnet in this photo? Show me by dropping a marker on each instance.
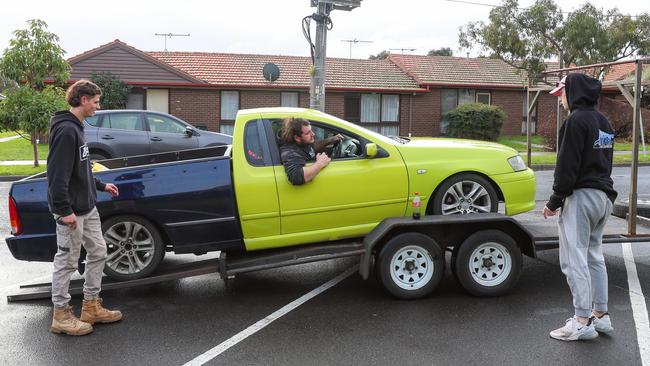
(475, 121)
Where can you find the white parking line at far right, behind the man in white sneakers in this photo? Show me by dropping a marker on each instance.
(639, 309)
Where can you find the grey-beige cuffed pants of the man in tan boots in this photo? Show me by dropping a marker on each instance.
(89, 234)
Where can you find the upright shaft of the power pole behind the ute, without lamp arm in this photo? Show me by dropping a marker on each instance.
(317, 85)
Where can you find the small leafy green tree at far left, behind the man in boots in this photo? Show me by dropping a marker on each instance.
(33, 57)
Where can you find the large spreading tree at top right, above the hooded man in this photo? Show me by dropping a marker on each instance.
(524, 38)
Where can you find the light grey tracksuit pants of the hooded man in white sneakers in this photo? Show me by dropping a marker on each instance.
(581, 223)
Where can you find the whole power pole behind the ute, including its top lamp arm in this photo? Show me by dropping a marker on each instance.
(317, 84)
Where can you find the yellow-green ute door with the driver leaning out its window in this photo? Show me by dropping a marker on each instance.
(347, 198)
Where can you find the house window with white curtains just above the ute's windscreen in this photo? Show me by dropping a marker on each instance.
(376, 112)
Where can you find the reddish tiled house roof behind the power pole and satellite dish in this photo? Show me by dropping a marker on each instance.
(246, 71)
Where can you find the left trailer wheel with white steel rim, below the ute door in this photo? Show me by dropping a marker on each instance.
(410, 266)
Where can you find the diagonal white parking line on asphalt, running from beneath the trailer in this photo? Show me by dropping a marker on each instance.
(216, 351)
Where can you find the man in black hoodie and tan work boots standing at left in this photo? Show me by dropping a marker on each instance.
(71, 197)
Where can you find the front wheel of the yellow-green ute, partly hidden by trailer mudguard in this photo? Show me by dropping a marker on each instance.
(465, 193)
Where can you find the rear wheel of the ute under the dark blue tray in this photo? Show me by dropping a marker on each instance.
(134, 245)
